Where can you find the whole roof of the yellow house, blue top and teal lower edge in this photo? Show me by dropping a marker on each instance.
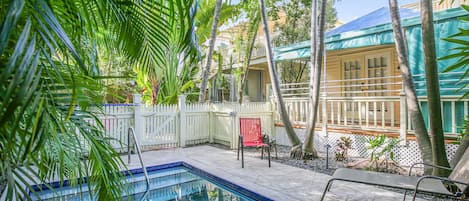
(375, 32)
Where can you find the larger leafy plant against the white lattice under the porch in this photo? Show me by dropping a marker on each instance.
(381, 149)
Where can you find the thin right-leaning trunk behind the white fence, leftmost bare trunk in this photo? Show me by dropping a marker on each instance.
(213, 37)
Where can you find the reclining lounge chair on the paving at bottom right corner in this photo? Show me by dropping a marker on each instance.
(425, 184)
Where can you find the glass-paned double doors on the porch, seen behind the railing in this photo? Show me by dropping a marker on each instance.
(364, 79)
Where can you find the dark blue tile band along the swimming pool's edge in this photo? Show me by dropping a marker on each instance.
(197, 171)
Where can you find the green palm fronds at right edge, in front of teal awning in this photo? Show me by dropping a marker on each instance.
(460, 53)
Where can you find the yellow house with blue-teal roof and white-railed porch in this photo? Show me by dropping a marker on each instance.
(362, 85)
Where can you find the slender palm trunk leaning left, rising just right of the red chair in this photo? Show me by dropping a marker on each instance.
(296, 151)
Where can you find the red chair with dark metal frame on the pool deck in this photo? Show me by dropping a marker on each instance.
(251, 136)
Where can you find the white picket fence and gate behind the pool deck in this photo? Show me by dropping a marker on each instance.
(184, 124)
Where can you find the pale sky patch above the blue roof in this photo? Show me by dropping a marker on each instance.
(348, 10)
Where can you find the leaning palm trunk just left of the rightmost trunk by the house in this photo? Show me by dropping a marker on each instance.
(423, 140)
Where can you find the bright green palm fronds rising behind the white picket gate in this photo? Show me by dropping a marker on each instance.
(165, 46)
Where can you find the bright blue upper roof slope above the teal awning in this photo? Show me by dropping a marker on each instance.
(377, 17)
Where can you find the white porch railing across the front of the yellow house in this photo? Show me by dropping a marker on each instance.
(376, 104)
